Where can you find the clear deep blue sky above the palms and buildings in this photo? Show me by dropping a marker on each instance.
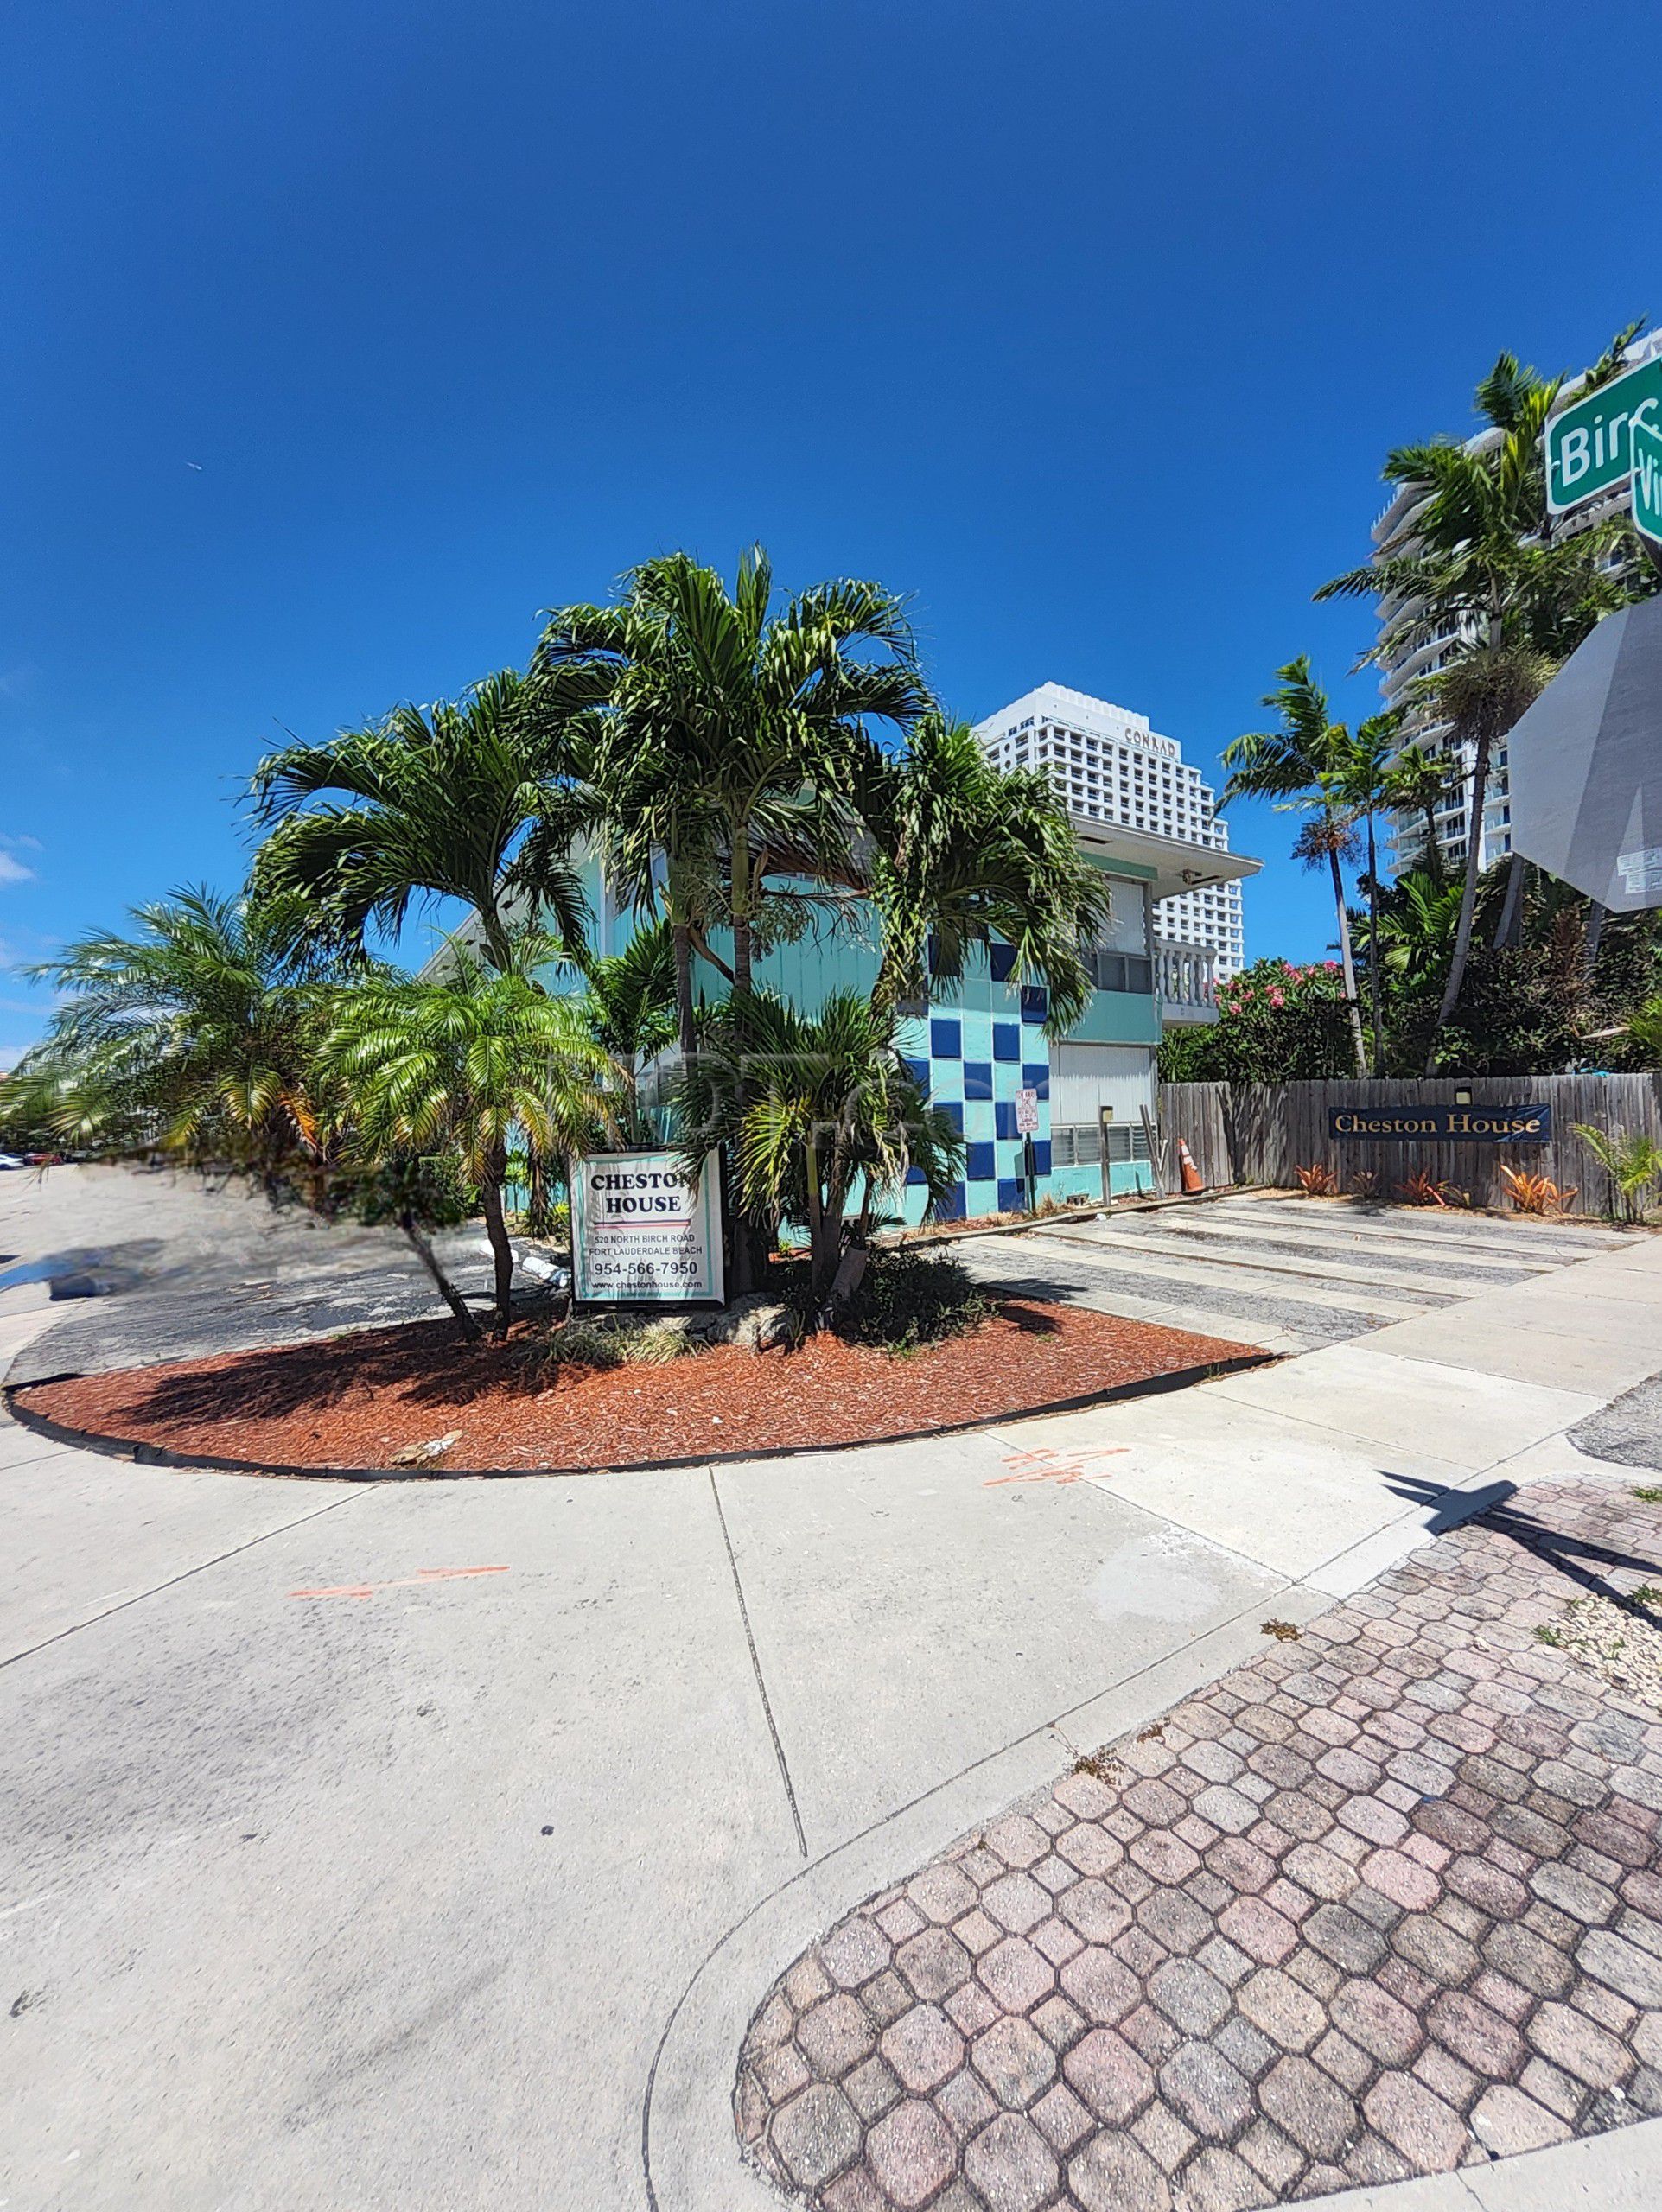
(340, 340)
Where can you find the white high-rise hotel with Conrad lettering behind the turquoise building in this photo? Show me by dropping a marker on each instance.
(1112, 769)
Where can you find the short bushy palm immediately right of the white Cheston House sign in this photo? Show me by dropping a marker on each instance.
(827, 1107)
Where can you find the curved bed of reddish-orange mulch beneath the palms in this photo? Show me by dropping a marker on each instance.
(355, 1401)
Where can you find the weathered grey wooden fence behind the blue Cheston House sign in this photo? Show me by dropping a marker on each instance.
(1260, 1134)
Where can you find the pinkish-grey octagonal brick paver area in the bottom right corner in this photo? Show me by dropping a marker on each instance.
(1382, 1903)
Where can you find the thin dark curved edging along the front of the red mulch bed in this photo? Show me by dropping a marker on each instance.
(143, 1454)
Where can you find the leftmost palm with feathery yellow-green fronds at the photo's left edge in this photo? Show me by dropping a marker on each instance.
(194, 1036)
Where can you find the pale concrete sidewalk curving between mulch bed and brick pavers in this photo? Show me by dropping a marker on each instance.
(466, 1890)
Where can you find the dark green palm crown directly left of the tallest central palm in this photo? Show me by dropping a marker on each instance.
(435, 804)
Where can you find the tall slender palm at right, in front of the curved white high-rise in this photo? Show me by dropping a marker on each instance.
(1482, 570)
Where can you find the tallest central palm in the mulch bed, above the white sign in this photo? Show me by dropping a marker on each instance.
(725, 733)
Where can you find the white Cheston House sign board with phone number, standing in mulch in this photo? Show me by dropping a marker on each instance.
(643, 1235)
